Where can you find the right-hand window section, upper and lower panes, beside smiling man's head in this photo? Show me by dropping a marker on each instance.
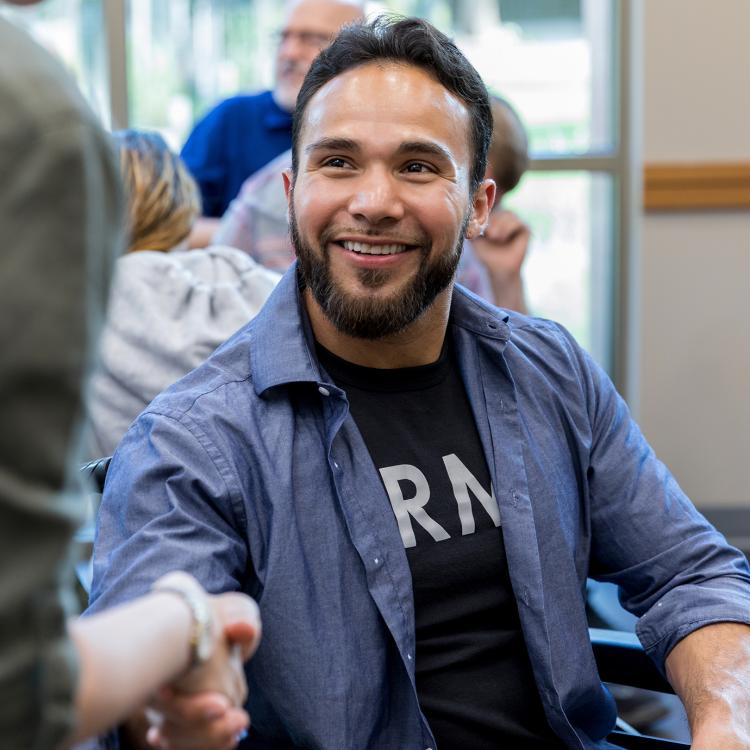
(555, 61)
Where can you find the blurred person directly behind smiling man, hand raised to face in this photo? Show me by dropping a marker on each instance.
(257, 219)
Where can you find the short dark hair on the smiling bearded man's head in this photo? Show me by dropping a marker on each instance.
(408, 41)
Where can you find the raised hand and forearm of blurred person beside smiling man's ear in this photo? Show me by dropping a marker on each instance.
(502, 250)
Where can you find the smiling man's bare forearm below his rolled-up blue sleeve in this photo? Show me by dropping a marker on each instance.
(710, 671)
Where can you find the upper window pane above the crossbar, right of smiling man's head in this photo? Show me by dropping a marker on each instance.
(553, 59)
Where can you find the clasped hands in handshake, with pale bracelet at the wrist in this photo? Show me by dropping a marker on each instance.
(203, 707)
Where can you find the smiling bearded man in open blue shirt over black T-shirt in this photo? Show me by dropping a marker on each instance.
(413, 484)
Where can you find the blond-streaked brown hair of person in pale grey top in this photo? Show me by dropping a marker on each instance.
(162, 198)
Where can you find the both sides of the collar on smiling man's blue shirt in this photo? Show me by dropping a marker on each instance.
(282, 347)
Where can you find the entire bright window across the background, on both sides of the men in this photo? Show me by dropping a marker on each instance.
(557, 61)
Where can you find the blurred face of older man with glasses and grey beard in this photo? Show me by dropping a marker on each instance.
(309, 27)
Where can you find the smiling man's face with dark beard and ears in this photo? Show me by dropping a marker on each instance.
(381, 200)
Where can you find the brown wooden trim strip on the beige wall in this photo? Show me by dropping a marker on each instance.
(691, 187)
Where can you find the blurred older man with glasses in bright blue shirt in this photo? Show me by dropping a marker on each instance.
(243, 133)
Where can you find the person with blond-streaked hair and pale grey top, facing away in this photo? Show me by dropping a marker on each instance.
(169, 307)
